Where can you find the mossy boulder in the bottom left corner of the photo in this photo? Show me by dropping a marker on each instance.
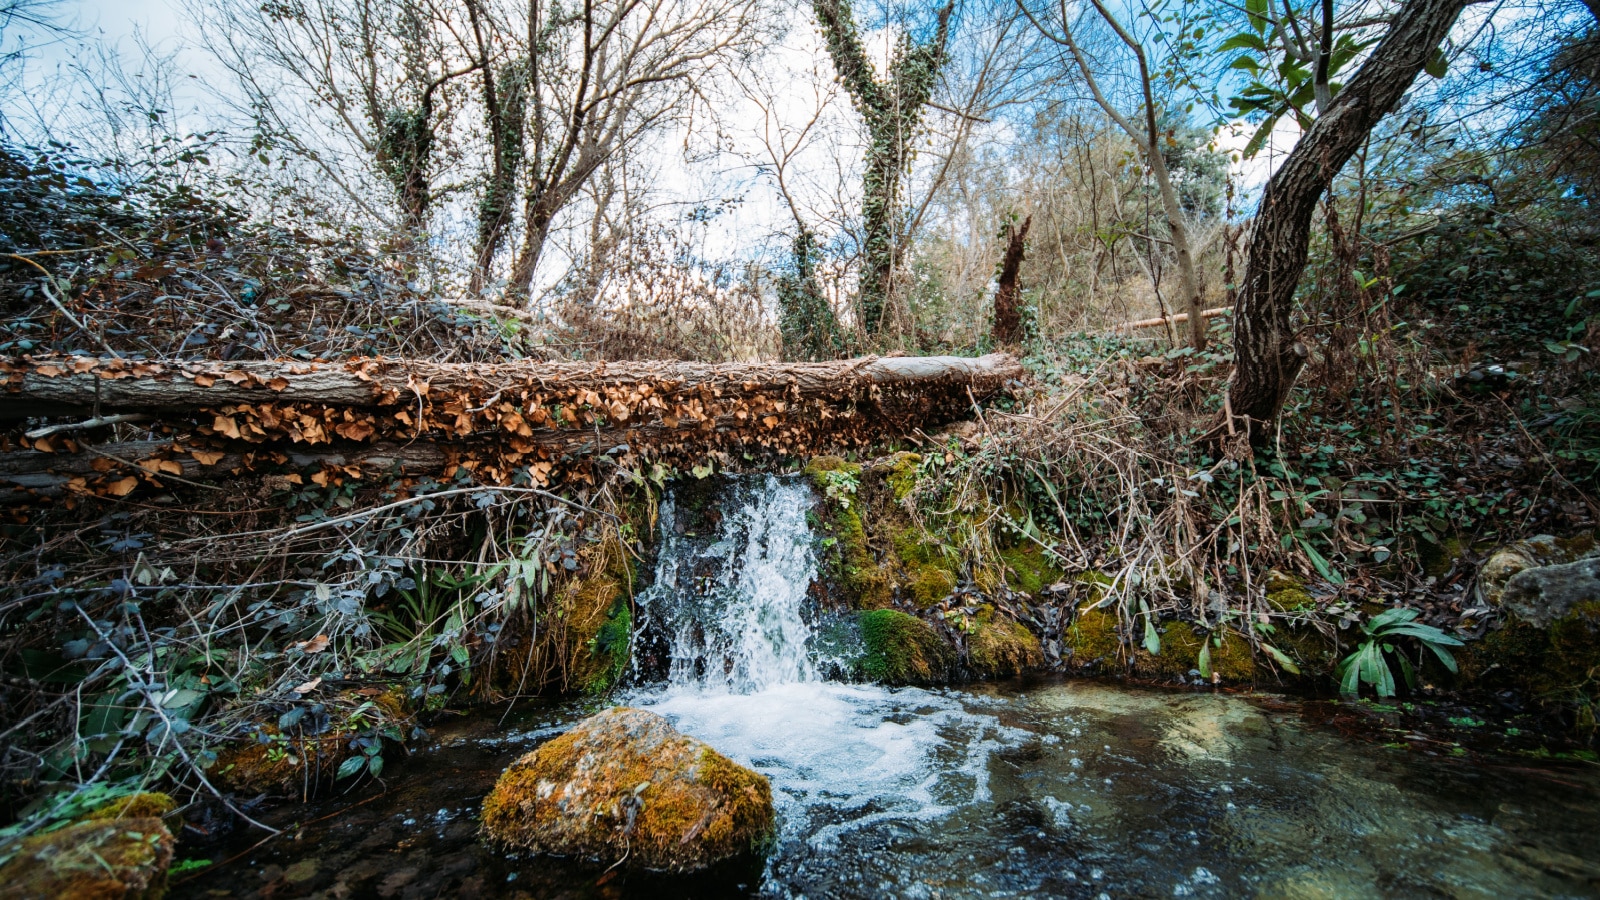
(90, 861)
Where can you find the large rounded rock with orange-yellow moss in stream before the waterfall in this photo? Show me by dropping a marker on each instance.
(626, 787)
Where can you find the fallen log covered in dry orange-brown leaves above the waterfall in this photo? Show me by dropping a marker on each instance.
(516, 422)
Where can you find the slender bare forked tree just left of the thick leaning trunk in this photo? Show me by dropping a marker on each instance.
(1146, 137)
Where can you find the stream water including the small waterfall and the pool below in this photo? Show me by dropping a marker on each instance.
(1026, 789)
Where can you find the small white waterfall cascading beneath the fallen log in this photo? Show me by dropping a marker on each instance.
(729, 606)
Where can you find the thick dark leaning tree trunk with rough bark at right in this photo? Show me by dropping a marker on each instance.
(1270, 355)
